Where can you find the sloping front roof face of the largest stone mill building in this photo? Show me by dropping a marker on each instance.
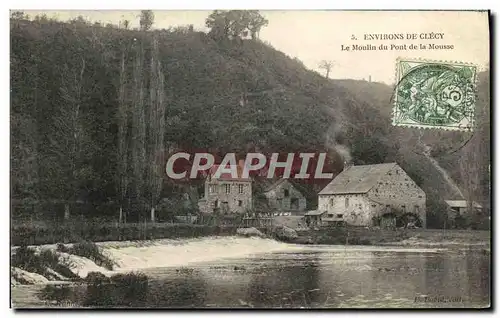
(357, 179)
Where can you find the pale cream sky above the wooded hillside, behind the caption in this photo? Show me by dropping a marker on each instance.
(313, 36)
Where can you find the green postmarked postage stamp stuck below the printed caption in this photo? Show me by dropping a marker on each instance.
(434, 95)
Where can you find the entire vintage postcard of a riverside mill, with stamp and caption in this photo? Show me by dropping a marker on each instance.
(250, 159)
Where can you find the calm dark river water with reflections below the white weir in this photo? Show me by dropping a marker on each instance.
(312, 277)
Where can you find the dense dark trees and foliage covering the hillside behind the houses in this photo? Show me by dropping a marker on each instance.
(75, 96)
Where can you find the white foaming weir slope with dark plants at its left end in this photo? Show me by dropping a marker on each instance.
(52, 263)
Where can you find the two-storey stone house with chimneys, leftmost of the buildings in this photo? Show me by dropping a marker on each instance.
(226, 195)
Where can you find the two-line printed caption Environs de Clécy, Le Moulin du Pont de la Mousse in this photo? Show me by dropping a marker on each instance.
(399, 42)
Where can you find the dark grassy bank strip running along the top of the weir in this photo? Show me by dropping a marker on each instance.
(37, 234)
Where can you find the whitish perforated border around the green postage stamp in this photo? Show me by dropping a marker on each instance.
(431, 127)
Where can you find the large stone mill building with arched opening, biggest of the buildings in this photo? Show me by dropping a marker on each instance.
(373, 195)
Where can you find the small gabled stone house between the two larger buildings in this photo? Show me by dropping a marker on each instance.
(283, 196)
